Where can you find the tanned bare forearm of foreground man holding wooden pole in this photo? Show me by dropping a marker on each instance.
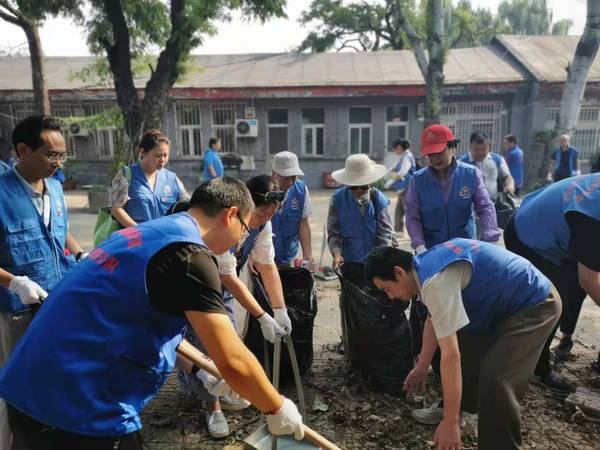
(238, 366)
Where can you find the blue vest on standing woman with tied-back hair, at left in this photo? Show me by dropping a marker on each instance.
(145, 204)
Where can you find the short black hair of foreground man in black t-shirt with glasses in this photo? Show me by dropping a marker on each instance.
(215, 195)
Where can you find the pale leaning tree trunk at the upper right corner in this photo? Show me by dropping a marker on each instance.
(578, 70)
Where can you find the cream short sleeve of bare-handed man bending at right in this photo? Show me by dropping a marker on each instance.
(443, 298)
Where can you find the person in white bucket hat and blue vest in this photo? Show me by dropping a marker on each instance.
(291, 226)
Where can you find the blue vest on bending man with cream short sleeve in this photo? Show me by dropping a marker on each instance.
(501, 285)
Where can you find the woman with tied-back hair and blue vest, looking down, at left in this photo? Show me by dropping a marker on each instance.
(146, 190)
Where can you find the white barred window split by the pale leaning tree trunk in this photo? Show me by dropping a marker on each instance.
(586, 136)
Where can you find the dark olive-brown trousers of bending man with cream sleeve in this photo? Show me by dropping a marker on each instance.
(496, 371)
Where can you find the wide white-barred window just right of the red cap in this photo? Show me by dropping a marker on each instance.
(466, 118)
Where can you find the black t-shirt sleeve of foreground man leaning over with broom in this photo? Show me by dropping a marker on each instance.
(184, 277)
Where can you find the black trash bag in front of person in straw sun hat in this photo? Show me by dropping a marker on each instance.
(379, 340)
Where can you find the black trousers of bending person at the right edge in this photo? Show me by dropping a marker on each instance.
(560, 276)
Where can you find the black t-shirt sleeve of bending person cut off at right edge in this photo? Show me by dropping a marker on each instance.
(584, 245)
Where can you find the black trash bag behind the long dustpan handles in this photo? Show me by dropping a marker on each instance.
(300, 295)
